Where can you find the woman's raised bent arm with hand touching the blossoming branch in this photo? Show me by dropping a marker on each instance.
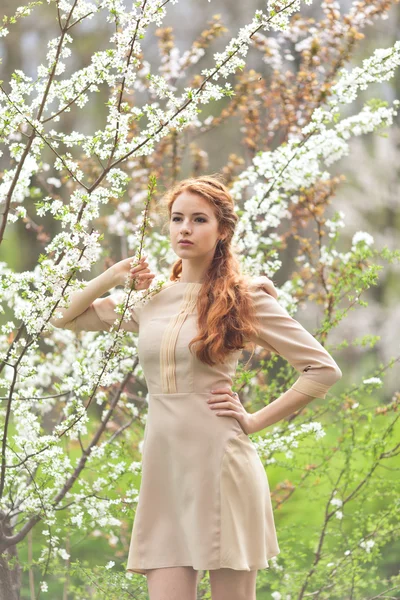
(88, 312)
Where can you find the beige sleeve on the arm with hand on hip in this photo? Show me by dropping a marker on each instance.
(282, 334)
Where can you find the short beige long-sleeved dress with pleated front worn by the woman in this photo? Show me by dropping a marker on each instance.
(204, 497)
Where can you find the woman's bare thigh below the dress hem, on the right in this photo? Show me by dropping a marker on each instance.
(228, 584)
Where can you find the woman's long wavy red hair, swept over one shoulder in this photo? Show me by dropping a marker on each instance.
(226, 317)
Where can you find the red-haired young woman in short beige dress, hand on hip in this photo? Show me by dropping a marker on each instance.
(204, 498)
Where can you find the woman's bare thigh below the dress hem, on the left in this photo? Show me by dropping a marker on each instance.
(172, 583)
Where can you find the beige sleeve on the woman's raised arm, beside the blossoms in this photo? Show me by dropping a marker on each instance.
(100, 316)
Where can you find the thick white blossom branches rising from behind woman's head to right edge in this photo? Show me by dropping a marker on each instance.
(274, 177)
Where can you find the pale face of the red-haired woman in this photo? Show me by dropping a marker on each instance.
(193, 219)
